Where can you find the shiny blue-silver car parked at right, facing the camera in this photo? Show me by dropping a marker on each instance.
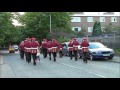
(98, 50)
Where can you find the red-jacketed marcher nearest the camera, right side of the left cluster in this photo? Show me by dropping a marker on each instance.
(34, 45)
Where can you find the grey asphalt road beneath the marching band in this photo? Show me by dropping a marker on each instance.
(13, 67)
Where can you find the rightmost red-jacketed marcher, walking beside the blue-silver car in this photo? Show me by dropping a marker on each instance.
(84, 46)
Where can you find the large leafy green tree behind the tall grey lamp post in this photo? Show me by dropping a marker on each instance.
(37, 24)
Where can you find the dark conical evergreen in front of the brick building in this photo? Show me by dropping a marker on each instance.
(97, 29)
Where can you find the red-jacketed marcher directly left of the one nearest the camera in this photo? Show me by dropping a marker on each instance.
(28, 54)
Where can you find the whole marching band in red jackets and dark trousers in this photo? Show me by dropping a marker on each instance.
(30, 47)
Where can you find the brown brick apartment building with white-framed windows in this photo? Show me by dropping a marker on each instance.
(86, 20)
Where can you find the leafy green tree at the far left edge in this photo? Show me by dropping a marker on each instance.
(7, 29)
